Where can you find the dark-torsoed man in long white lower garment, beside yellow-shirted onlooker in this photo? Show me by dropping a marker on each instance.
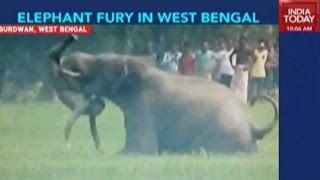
(239, 82)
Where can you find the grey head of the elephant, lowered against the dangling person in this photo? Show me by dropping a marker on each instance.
(107, 75)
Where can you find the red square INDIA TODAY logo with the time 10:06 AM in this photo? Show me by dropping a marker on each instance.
(298, 15)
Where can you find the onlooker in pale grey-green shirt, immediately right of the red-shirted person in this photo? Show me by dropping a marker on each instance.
(206, 61)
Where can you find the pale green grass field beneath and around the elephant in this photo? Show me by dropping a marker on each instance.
(31, 147)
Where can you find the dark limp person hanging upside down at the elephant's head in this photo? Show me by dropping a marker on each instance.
(72, 96)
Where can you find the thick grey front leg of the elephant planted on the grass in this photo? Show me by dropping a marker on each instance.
(141, 133)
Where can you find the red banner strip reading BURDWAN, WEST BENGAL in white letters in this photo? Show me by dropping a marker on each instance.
(45, 29)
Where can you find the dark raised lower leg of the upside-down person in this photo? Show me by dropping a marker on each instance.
(57, 50)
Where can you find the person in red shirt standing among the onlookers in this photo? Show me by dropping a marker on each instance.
(187, 61)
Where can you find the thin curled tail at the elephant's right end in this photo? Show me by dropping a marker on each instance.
(259, 133)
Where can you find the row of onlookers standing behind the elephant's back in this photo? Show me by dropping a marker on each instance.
(247, 71)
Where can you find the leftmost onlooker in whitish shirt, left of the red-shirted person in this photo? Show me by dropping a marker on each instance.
(171, 59)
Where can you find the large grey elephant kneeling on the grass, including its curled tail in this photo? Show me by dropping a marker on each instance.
(165, 112)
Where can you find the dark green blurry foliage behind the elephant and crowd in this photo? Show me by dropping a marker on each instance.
(25, 57)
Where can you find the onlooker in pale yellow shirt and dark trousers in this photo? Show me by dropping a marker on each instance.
(258, 70)
